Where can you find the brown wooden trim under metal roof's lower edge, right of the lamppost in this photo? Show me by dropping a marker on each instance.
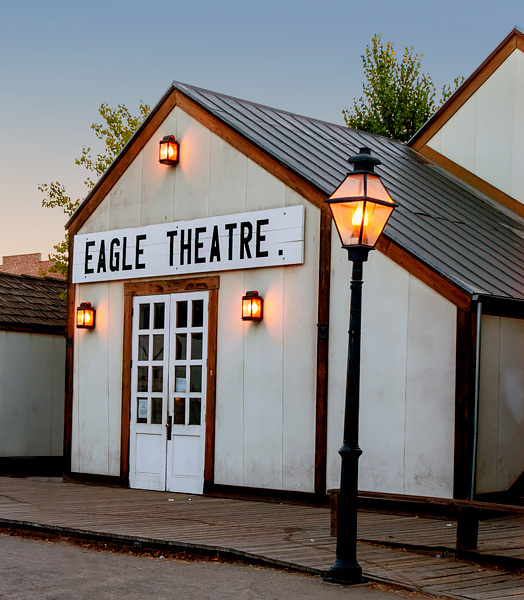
(424, 273)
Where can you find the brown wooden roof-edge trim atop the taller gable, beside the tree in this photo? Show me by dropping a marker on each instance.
(515, 40)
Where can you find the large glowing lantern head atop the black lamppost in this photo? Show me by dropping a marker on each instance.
(361, 205)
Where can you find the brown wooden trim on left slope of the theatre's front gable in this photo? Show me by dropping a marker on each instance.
(116, 170)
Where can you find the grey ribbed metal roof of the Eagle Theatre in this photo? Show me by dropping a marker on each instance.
(463, 234)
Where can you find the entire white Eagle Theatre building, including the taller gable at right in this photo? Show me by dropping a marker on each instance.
(172, 390)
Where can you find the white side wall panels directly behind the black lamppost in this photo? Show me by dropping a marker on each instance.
(407, 394)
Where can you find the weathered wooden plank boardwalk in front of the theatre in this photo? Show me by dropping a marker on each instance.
(275, 534)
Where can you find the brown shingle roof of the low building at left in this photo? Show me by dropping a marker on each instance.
(32, 302)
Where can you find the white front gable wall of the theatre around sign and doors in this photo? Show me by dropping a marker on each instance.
(265, 376)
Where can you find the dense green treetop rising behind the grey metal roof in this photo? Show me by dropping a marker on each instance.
(397, 97)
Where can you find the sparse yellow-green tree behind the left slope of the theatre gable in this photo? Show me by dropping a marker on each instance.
(118, 127)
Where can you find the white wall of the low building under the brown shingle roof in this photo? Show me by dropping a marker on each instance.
(31, 394)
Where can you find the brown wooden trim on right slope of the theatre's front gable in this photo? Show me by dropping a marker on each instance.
(252, 151)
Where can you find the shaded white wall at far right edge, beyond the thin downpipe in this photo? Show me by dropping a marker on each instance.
(500, 458)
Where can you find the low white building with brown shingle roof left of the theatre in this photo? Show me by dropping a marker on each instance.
(32, 364)
